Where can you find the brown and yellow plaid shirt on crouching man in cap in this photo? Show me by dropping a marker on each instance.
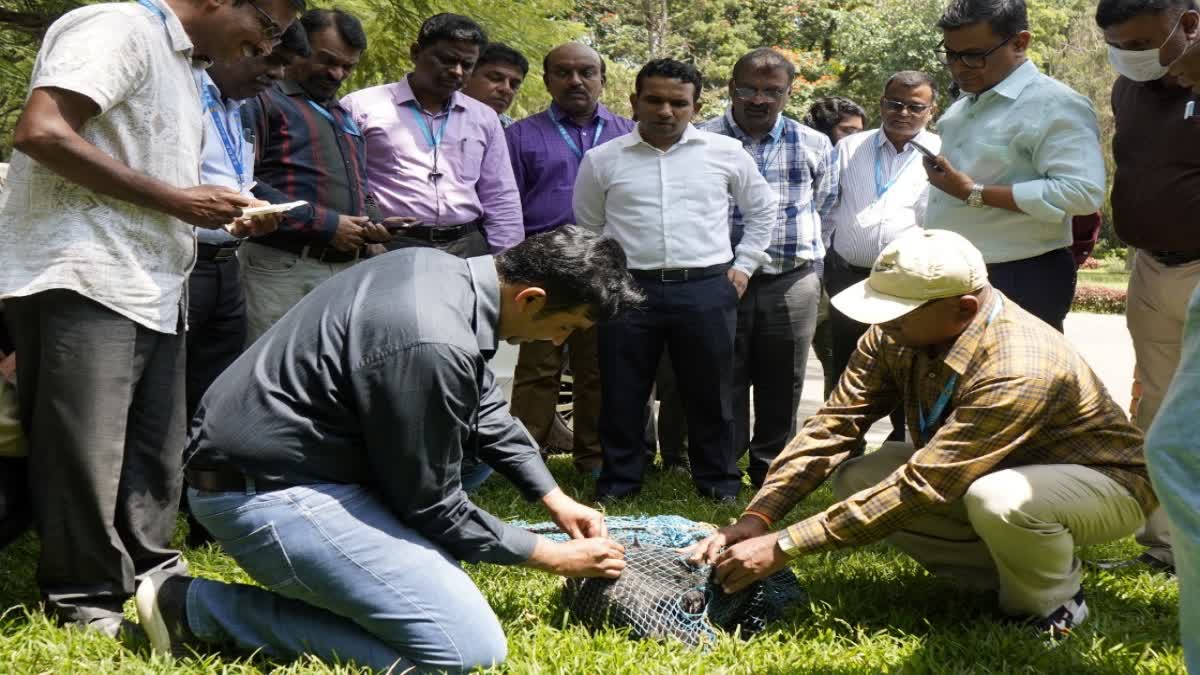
(1024, 397)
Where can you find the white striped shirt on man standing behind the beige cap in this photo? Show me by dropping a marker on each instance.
(884, 194)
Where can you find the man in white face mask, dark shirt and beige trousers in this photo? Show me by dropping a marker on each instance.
(1156, 196)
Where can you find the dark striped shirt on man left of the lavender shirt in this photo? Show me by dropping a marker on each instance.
(302, 154)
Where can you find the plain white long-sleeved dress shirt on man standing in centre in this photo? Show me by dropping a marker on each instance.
(671, 210)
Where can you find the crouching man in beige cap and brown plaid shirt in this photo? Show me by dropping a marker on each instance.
(1021, 455)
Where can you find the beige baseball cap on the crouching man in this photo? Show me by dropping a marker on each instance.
(916, 268)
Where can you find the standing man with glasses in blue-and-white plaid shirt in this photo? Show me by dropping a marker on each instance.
(778, 313)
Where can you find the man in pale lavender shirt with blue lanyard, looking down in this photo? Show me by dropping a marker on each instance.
(437, 162)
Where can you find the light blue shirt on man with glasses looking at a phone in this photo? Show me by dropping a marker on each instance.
(1037, 135)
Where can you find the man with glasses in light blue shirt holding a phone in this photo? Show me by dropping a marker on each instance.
(1022, 156)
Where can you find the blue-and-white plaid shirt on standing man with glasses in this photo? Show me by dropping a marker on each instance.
(799, 164)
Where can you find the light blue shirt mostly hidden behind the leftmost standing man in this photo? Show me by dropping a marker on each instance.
(217, 169)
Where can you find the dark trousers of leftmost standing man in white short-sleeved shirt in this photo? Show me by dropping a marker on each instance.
(103, 408)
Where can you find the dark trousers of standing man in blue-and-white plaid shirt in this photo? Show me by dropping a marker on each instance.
(777, 319)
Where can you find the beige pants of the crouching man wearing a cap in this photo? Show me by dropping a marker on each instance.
(1015, 531)
